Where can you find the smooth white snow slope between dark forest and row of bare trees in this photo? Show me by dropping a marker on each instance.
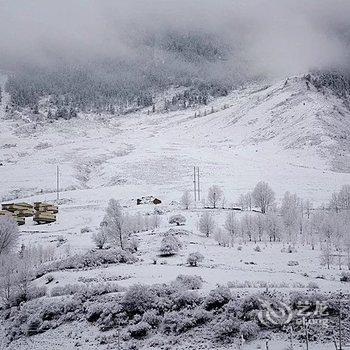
(289, 134)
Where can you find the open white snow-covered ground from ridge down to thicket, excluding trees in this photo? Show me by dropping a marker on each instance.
(284, 134)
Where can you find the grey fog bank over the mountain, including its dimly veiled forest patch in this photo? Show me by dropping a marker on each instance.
(137, 45)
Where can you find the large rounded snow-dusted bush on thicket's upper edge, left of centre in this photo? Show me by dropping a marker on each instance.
(138, 299)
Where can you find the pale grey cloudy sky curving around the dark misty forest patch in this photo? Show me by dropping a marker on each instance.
(273, 37)
